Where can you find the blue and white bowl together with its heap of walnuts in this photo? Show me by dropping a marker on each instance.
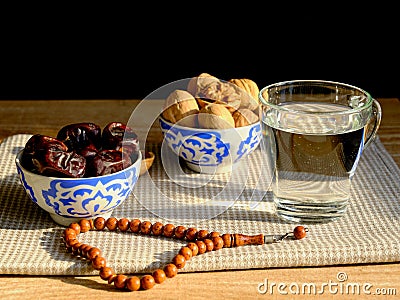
(213, 124)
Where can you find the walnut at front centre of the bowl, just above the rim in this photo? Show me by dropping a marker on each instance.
(215, 116)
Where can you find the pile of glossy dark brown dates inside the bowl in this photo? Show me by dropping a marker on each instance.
(82, 150)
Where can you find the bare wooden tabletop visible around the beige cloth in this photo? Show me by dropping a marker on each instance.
(46, 117)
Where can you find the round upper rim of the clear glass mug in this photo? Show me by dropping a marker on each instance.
(367, 105)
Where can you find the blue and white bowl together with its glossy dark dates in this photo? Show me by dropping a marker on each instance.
(82, 173)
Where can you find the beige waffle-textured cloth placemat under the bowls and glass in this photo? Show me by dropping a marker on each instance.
(368, 233)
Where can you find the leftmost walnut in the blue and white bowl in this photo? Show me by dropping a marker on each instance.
(181, 107)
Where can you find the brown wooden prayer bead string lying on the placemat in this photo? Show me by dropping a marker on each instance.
(199, 242)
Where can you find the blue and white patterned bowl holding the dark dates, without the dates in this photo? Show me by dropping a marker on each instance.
(69, 200)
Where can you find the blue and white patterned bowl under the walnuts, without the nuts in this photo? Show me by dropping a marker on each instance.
(211, 150)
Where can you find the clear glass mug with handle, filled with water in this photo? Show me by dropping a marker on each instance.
(314, 133)
